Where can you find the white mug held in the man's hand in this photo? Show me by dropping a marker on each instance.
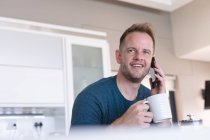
(160, 107)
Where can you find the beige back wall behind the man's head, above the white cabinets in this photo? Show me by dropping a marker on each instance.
(113, 19)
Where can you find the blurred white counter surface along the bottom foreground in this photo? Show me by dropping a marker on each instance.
(176, 133)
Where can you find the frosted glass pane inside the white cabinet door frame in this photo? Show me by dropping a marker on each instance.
(87, 66)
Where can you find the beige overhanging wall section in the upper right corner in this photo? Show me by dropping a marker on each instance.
(191, 26)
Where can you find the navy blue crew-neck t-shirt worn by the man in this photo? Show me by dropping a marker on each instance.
(101, 103)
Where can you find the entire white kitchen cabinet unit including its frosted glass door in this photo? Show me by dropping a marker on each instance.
(43, 68)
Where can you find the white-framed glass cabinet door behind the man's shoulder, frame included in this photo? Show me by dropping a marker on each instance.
(88, 62)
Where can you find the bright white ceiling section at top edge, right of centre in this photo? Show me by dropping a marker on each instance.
(164, 5)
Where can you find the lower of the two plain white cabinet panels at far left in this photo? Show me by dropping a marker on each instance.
(31, 86)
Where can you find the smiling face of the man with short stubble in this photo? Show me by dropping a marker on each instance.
(135, 56)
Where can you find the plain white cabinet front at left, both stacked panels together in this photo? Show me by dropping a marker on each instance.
(31, 68)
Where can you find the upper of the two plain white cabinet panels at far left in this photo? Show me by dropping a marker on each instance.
(21, 48)
